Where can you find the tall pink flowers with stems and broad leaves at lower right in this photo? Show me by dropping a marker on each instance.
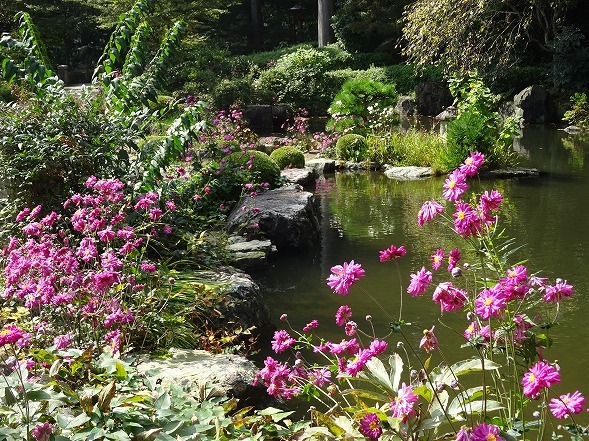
(386, 384)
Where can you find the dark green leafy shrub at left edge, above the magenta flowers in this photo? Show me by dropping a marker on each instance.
(50, 147)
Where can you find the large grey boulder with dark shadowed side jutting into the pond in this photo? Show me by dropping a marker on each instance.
(287, 216)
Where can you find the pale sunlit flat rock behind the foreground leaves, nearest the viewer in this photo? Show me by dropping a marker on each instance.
(229, 375)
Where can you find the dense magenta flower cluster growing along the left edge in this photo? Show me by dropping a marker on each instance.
(79, 272)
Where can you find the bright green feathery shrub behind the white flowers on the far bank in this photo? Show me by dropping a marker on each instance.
(351, 105)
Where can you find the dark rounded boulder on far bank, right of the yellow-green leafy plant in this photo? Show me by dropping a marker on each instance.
(534, 105)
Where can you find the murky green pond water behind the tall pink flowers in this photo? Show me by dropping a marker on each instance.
(365, 213)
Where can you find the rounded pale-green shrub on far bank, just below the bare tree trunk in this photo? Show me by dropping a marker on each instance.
(298, 79)
